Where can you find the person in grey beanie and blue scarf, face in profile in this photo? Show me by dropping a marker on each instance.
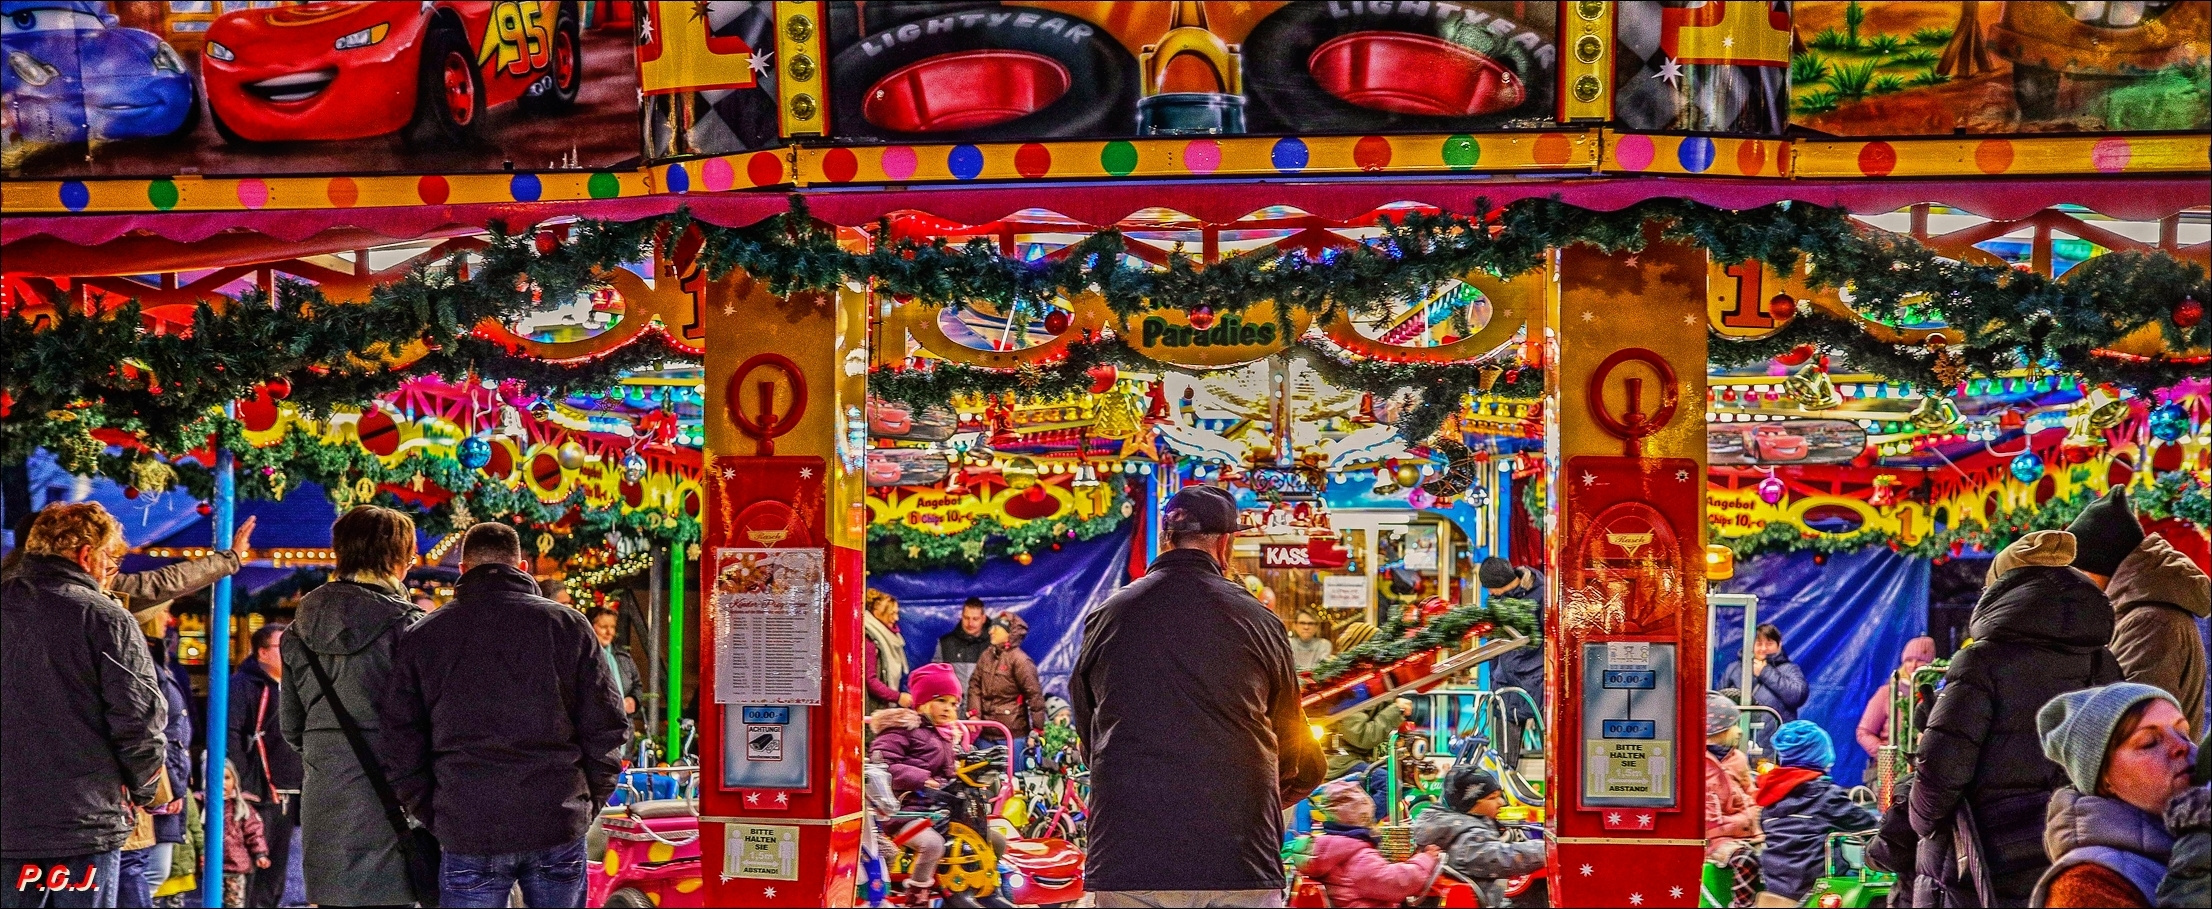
(2127, 755)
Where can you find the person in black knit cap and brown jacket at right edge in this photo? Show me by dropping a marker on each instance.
(2158, 596)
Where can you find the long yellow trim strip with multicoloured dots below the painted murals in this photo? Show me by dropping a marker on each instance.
(1193, 158)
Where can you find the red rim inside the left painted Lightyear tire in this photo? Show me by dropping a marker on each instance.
(959, 92)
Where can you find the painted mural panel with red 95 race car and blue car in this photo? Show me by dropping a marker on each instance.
(320, 87)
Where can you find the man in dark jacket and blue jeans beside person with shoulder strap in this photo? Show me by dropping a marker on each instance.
(503, 731)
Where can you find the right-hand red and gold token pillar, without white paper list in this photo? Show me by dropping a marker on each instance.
(1627, 623)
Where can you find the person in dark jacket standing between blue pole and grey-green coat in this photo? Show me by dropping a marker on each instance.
(269, 764)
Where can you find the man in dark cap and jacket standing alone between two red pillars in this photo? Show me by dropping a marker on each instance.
(1187, 702)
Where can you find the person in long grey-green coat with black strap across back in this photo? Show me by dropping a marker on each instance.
(351, 855)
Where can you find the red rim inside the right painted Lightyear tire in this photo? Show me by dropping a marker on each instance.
(1412, 74)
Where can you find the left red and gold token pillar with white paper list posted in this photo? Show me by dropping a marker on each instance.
(782, 576)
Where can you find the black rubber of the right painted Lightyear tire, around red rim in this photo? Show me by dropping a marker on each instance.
(1286, 98)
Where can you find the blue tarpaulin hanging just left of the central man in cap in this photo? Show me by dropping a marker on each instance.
(1052, 594)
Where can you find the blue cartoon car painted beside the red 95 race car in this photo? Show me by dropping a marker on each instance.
(76, 76)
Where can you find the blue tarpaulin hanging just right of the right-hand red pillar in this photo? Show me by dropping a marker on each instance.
(1844, 625)
